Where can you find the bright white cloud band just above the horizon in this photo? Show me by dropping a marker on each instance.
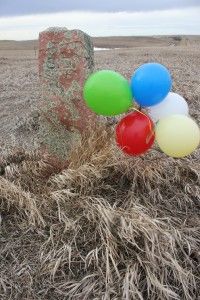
(177, 21)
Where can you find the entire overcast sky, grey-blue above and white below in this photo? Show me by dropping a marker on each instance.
(23, 19)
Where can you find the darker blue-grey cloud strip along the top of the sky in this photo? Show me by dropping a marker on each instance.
(23, 7)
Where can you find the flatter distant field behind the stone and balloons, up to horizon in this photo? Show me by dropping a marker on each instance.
(19, 82)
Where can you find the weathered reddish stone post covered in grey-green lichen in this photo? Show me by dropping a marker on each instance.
(65, 61)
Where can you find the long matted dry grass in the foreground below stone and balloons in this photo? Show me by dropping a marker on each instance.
(106, 227)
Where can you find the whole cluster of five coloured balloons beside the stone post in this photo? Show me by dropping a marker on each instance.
(166, 117)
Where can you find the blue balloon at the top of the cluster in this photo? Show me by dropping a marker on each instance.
(150, 84)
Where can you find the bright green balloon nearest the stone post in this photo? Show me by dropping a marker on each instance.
(107, 93)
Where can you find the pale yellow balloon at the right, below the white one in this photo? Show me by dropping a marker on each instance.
(177, 135)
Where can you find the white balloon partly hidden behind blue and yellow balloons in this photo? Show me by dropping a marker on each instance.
(173, 104)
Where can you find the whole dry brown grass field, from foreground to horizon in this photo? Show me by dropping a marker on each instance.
(108, 226)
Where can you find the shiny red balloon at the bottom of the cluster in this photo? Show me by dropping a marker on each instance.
(135, 133)
